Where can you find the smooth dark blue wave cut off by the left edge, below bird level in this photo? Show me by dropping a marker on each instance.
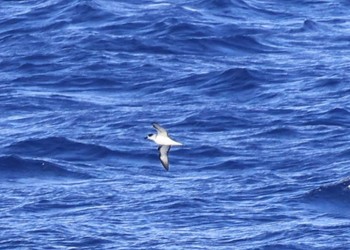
(17, 167)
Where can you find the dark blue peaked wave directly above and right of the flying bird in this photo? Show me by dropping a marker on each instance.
(239, 83)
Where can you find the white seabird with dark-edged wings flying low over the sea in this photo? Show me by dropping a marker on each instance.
(165, 142)
